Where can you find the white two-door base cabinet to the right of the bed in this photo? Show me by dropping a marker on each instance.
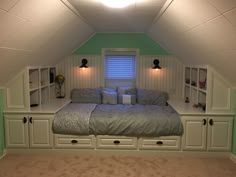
(212, 133)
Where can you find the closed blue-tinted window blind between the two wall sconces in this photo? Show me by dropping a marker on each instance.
(120, 67)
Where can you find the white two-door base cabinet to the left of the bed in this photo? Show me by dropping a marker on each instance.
(31, 130)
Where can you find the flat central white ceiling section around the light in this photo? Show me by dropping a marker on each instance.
(135, 18)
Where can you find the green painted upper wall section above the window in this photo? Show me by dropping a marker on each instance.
(146, 45)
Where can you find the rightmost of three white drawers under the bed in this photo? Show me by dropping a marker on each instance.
(163, 143)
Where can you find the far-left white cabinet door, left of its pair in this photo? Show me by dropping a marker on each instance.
(16, 130)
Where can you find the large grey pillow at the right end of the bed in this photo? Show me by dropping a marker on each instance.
(151, 97)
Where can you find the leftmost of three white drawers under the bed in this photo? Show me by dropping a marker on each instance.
(70, 141)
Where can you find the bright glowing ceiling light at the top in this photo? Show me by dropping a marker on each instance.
(118, 3)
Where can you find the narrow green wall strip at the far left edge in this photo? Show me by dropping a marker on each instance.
(2, 143)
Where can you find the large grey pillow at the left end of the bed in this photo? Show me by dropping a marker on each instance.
(86, 95)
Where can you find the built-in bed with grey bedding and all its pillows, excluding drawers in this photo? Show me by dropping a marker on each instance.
(128, 112)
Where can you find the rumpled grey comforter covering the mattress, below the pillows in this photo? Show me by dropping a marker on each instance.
(128, 120)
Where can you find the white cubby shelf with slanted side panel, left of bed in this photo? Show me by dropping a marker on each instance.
(32, 87)
